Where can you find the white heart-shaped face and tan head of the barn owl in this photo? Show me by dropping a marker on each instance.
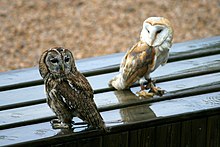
(156, 30)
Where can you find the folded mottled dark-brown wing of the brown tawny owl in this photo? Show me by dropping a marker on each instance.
(78, 95)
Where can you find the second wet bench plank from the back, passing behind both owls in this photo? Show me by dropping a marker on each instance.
(192, 67)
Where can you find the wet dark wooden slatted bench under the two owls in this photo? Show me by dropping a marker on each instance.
(187, 115)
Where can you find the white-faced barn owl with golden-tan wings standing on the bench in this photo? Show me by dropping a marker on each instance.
(145, 56)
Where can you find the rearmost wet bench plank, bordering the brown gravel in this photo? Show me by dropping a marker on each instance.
(191, 49)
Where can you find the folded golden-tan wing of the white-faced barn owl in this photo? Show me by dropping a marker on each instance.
(137, 62)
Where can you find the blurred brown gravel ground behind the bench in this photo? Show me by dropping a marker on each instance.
(93, 27)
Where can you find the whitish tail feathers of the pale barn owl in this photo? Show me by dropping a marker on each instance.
(118, 82)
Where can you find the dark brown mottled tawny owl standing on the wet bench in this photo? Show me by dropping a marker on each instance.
(68, 91)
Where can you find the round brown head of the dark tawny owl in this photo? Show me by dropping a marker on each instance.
(57, 61)
